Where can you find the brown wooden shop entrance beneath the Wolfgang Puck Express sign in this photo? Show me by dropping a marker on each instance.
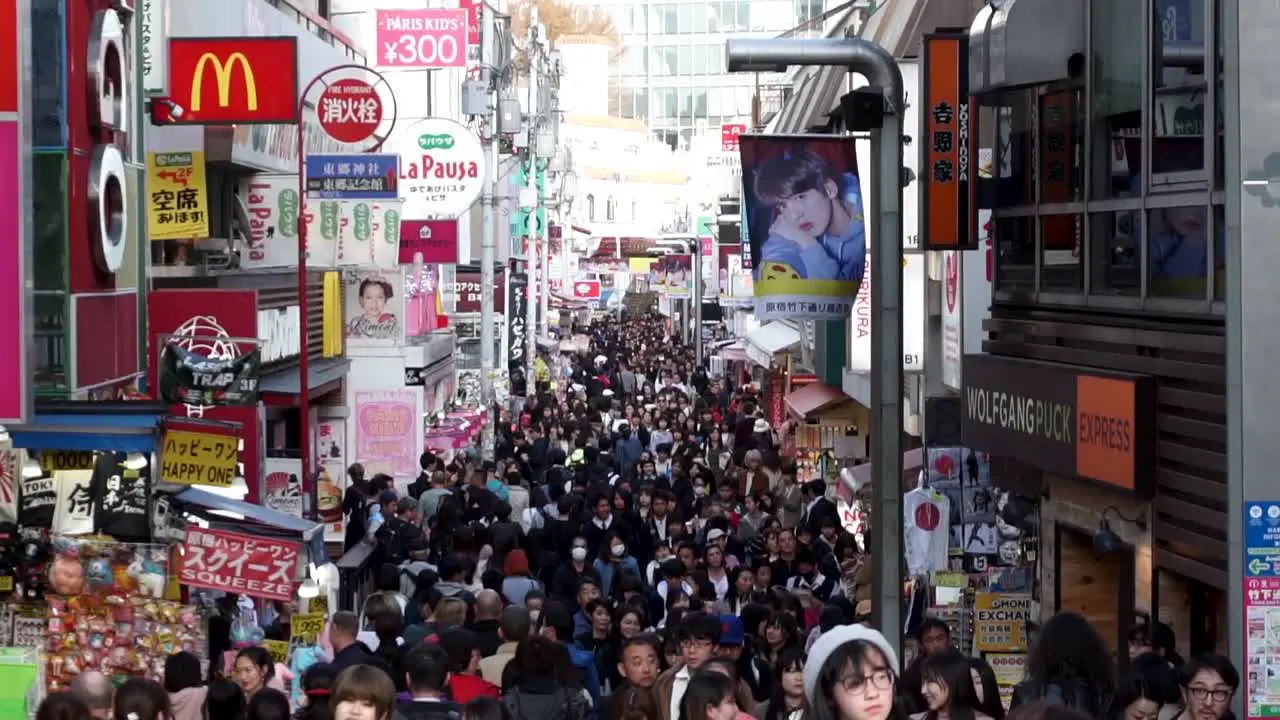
(1099, 589)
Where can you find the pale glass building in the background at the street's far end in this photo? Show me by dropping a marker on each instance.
(671, 72)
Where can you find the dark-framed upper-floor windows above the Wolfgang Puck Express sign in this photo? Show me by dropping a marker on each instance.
(1108, 188)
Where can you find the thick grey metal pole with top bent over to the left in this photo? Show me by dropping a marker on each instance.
(886, 245)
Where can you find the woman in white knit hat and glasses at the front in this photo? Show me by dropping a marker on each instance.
(852, 675)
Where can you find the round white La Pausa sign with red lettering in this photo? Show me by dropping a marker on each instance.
(442, 168)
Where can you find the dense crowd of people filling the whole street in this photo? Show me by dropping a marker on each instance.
(641, 550)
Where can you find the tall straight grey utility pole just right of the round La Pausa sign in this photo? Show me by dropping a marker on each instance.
(488, 238)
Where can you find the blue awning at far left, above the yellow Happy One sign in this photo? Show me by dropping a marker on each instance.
(121, 431)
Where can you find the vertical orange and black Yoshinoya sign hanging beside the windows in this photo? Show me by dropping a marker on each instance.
(947, 157)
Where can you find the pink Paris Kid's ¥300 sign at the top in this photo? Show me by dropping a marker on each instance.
(423, 39)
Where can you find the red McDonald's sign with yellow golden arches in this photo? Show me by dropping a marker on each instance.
(235, 80)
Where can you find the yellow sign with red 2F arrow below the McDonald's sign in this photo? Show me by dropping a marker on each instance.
(179, 193)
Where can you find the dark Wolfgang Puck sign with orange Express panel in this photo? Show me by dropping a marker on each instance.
(1064, 420)
